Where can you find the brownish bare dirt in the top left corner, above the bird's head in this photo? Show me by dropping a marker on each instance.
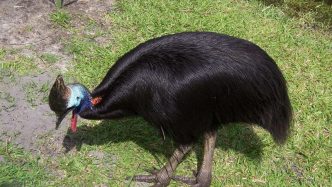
(25, 26)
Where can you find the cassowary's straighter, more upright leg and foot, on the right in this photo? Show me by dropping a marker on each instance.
(203, 178)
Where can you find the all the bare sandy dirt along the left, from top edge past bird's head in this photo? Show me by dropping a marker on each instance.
(25, 26)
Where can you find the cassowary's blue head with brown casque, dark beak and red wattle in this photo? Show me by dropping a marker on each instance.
(65, 98)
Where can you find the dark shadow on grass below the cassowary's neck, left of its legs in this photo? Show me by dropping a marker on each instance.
(125, 130)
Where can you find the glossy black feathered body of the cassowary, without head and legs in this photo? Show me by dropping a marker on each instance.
(189, 83)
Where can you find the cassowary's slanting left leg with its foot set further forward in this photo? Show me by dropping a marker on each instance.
(163, 176)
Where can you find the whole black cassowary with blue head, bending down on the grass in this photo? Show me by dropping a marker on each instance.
(187, 85)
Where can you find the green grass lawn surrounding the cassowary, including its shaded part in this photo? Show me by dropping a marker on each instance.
(244, 156)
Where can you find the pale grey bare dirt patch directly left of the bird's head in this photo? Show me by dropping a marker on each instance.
(23, 118)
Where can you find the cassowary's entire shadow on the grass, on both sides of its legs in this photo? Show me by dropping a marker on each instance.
(240, 138)
